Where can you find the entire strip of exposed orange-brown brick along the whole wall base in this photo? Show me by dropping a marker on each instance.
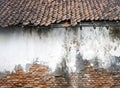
(39, 77)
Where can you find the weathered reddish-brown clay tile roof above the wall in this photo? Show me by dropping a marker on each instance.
(47, 12)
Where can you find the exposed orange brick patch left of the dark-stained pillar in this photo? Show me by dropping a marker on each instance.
(38, 76)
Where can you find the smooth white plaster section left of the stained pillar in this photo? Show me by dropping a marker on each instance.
(20, 47)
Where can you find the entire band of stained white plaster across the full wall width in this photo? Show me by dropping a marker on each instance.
(98, 46)
